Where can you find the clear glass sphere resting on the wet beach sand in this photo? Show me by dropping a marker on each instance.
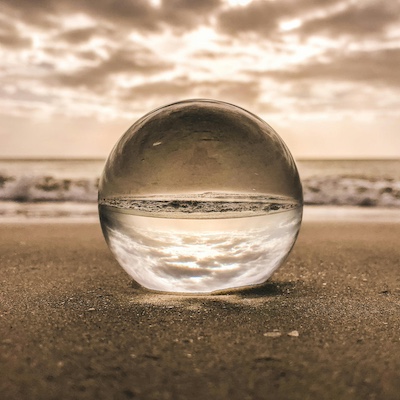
(199, 196)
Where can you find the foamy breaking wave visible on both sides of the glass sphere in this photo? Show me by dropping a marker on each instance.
(318, 190)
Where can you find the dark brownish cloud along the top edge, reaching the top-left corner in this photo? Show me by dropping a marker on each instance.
(127, 15)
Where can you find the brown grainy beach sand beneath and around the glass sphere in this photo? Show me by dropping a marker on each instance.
(74, 326)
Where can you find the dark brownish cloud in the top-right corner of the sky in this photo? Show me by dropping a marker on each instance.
(330, 18)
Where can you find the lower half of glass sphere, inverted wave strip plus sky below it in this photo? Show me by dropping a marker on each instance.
(200, 244)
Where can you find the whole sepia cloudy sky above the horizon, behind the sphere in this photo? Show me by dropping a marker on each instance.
(74, 75)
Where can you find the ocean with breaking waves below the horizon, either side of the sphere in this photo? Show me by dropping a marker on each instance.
(68, 188)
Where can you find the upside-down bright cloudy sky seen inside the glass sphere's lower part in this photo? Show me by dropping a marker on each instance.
(200, 255)
